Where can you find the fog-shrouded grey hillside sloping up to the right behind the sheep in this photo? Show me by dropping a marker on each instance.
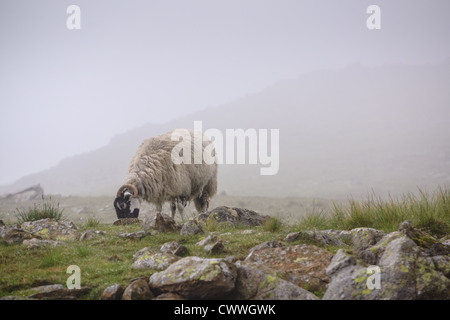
(342, 132)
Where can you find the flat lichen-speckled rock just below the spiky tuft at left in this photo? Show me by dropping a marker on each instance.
(52, 229)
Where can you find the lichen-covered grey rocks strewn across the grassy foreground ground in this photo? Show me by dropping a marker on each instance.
(367, 264)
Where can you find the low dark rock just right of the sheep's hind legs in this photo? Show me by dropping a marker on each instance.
(234, 216)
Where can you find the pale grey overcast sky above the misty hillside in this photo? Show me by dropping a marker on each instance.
(65, 92)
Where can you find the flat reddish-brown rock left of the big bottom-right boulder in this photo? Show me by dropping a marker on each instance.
(303, 265)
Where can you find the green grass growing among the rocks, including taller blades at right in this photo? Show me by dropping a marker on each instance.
(107, 259)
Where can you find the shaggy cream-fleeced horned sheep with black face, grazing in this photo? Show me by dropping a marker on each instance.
(154, 177)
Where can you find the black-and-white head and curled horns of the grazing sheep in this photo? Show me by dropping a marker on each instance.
(127, 203)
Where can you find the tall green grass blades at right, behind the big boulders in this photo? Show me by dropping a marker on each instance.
(427, 211)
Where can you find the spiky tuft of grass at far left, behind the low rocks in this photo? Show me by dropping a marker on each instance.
(46, 209)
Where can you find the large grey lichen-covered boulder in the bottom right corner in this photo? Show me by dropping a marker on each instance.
(407, 269)
